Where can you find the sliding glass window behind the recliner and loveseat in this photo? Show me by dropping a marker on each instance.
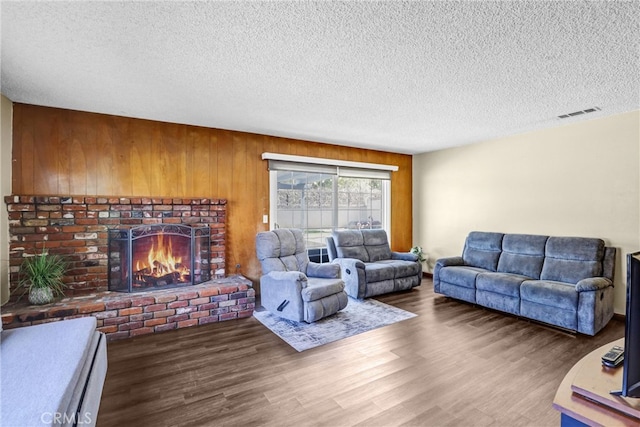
(318, 198)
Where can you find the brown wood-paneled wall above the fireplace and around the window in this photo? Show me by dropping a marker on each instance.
(58, 151)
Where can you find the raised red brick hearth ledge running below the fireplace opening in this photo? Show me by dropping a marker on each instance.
(124, 315)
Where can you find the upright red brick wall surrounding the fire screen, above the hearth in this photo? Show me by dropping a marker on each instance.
(76, 228)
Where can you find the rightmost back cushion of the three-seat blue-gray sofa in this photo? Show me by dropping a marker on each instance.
(571, 259)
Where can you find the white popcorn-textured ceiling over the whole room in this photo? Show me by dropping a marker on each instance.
(398, 76)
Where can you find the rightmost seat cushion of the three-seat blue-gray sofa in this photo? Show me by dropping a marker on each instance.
(550, 293)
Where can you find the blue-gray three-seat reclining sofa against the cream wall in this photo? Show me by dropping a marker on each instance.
(562, 281)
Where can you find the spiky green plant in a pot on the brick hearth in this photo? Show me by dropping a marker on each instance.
(41, 276)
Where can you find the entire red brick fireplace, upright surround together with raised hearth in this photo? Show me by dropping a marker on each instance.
(77, 228)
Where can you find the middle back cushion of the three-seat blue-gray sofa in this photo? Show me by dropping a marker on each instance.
(522, 254)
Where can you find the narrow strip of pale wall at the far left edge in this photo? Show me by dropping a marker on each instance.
(6, 111)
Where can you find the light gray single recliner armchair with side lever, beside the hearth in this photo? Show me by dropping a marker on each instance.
(293, 287)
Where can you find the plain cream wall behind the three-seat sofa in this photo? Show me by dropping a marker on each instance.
(576, 180)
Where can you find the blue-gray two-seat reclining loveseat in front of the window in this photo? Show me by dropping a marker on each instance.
(368, 265)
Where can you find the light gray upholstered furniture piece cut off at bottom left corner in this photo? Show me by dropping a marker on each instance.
(52, 374)
